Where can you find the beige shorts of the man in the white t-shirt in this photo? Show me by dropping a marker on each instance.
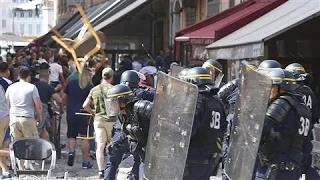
(22, 127)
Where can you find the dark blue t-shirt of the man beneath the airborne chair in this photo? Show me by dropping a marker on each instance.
(76, 97)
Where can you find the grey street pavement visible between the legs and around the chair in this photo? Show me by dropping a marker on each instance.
(76, 172)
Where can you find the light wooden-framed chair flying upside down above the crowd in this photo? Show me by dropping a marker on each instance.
(88, 43)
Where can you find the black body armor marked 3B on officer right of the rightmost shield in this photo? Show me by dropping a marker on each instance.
(280, 142)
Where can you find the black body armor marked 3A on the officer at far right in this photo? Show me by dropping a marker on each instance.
(310, 100)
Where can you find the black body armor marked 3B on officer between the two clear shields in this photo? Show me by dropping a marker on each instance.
(209, 138)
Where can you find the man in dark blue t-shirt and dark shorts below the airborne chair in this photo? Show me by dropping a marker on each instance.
(77, 125)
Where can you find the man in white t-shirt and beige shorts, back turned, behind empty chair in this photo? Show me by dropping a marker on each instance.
(24, 100)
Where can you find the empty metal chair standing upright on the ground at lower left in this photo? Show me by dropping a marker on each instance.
(32, 149)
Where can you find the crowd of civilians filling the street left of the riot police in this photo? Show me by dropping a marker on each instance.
(33, 81)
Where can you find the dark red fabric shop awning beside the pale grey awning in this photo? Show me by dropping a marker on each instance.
(226, 22)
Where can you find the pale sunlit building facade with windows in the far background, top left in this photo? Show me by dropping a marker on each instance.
(29, 19)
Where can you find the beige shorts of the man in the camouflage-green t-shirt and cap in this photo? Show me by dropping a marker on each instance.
(103, 131)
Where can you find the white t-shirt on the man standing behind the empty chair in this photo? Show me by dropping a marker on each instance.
(20, 96)
